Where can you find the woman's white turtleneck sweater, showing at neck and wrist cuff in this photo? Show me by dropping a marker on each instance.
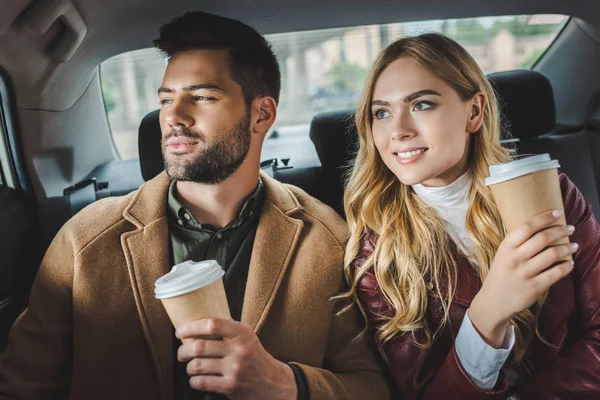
(481, 361)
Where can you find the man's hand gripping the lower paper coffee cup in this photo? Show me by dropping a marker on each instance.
(237, 366)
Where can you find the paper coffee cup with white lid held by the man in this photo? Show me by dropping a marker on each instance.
(192, 291)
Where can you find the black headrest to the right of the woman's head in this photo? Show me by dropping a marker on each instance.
(526, 101)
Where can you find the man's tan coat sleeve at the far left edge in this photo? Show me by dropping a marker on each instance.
(36, 363)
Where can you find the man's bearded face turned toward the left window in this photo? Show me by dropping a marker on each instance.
(204, 120)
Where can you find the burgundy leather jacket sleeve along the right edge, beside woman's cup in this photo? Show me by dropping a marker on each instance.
(575, 372)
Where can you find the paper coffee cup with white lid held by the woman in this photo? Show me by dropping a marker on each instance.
(526, 187)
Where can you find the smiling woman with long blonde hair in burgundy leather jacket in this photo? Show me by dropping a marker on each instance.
(460, 309)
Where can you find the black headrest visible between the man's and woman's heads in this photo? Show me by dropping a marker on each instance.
(335, 137)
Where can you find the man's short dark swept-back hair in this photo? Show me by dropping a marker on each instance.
(253, 64)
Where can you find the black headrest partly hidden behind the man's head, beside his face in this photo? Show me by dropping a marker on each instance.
(149, 137)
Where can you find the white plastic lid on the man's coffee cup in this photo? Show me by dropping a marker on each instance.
(187, 277)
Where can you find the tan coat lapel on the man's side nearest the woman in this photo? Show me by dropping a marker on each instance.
(276, 239)
